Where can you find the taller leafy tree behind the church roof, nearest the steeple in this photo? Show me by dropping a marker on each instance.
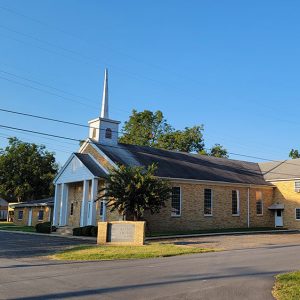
(144, 128)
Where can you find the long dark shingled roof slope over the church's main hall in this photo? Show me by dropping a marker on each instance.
(173, 164)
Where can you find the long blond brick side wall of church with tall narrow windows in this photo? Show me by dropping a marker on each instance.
(192, 210)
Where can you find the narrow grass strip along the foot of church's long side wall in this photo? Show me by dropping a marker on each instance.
(155, 234)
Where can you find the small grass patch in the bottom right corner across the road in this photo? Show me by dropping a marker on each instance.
(287, 286)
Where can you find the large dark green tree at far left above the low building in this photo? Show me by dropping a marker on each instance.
(26, 171)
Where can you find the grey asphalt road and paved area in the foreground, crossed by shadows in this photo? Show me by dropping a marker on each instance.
(236, 274)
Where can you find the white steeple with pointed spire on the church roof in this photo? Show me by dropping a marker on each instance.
(104, 130)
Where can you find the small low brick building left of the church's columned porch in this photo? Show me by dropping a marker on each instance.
(33, 212)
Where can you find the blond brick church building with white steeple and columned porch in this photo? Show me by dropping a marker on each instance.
(207, 192)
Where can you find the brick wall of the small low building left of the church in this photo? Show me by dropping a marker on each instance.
(35, 211)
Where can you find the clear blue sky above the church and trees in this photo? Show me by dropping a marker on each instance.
(230, 65)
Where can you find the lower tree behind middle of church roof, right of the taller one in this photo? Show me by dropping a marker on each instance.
(187, 140)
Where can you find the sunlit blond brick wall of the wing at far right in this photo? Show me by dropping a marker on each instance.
(284, 193)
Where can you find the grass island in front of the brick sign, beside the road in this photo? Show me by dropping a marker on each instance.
(126, 252)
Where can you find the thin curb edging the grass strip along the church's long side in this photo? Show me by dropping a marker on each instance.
(220, 233)
